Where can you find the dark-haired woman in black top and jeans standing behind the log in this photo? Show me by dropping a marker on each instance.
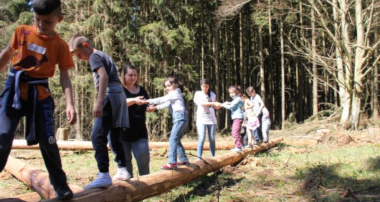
(136, 136)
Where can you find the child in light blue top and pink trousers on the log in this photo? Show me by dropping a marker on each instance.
(236, 115)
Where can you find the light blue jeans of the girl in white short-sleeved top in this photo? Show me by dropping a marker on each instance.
(201, 128)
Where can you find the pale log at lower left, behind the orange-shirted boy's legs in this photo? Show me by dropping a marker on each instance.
(33, 177)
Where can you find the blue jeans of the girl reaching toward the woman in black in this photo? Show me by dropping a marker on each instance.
(175, 145)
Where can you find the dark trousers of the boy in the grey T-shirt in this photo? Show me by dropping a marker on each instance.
(103, 127)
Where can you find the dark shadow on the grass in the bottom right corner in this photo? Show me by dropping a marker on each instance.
(322, 183)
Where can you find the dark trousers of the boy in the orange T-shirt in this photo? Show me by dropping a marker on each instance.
(45, 135)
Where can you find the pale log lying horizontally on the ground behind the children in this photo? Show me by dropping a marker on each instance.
(87, 145)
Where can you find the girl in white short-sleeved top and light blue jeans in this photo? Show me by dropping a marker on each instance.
(206, 120)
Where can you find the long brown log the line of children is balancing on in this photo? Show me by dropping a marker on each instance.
(163, 181)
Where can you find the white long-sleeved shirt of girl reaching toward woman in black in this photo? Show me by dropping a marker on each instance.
(173, 98)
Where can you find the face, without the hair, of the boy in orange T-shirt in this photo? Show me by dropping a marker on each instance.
(46, 23)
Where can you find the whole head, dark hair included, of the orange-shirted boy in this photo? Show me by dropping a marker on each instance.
(47, 13)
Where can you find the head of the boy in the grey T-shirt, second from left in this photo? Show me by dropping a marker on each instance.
(80, 47)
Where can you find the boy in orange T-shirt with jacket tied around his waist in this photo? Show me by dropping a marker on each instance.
(26, 93)
